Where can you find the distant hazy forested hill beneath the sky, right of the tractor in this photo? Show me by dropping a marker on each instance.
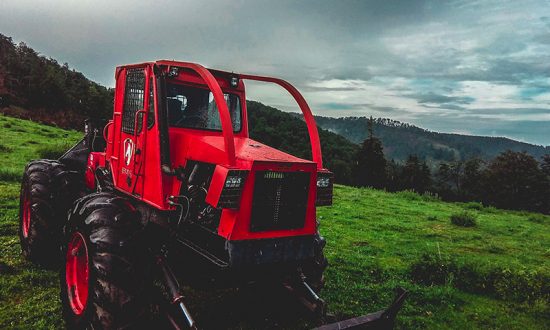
(401, 140)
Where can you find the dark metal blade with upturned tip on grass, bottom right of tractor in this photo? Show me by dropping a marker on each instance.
(384, 319)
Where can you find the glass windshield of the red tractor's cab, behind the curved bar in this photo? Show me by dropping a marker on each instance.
(193, 107)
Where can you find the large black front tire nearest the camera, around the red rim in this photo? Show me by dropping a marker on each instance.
(118, 265)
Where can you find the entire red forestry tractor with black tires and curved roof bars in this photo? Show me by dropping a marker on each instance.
(173, 188)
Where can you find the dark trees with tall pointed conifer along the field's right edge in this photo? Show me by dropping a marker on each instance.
(511, 180)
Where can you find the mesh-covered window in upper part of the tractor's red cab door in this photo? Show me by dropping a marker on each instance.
(133, 99)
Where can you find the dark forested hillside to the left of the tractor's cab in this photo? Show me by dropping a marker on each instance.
(37, 87)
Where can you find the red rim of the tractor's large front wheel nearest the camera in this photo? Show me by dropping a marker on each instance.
(76, 274)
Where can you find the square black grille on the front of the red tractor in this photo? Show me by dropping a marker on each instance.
(280, 200)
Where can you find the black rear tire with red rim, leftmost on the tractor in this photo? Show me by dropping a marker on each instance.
(48, 190)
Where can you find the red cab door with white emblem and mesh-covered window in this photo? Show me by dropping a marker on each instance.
(133, 131)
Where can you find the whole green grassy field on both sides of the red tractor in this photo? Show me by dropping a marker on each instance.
(494, 275)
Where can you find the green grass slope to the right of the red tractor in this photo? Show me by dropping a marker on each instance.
(375, 238)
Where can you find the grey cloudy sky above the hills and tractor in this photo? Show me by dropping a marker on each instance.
(473, 67)
